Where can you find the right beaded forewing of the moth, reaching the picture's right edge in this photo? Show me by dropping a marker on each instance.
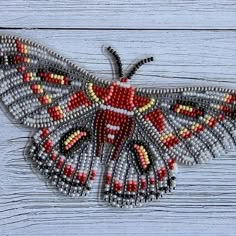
(191, 125)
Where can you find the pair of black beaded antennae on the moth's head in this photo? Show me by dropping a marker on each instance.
(123, 78)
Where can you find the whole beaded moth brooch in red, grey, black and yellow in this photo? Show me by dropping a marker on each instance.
(80, 120)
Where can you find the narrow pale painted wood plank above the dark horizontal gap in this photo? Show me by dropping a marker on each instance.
(151, 14)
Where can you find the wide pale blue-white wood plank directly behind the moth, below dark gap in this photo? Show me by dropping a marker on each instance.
(204, 202)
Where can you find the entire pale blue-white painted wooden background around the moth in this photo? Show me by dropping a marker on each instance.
(204, 202)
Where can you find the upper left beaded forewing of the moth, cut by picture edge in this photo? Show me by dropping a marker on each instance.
(39, 87)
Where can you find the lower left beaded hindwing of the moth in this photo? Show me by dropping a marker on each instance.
(65, 154)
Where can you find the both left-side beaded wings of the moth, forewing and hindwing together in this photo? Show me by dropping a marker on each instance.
(41, 89)
